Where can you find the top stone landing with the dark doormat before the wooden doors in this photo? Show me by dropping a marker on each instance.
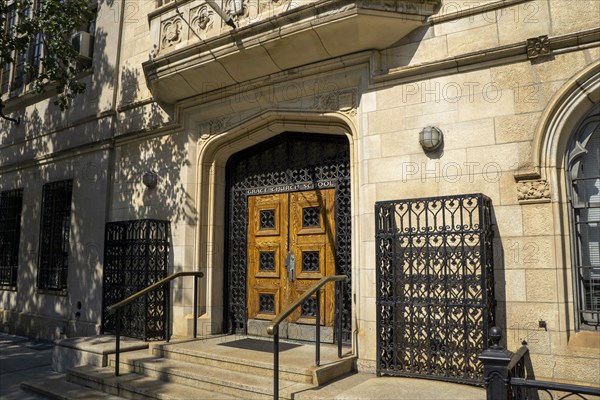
(297, 361)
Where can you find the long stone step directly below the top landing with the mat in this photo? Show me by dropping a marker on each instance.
(242, 384)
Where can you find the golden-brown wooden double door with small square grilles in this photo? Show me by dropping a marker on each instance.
(291, 245)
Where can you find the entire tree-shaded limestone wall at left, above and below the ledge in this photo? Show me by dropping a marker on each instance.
(49, 145)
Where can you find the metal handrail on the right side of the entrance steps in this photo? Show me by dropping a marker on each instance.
(273, 329)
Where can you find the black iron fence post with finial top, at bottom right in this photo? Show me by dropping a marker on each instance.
(495, 360)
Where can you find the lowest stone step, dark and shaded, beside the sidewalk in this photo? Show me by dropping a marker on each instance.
(58, 388)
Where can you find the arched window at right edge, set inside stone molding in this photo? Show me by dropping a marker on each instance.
(583, 175)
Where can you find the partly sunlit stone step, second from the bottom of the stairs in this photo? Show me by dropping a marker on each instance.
(135, 386)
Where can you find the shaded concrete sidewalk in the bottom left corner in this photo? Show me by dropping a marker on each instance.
(22, 359)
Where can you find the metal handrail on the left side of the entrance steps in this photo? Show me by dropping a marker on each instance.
(117, 308)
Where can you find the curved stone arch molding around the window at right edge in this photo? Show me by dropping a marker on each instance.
(545, 180)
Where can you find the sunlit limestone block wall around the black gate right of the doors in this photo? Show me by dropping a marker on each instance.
(489, 113)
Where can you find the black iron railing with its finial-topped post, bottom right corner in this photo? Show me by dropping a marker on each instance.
(510, 376)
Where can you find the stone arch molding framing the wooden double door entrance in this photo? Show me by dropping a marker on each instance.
(214, 151)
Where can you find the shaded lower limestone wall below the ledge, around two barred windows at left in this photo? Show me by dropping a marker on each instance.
(26, 310)
